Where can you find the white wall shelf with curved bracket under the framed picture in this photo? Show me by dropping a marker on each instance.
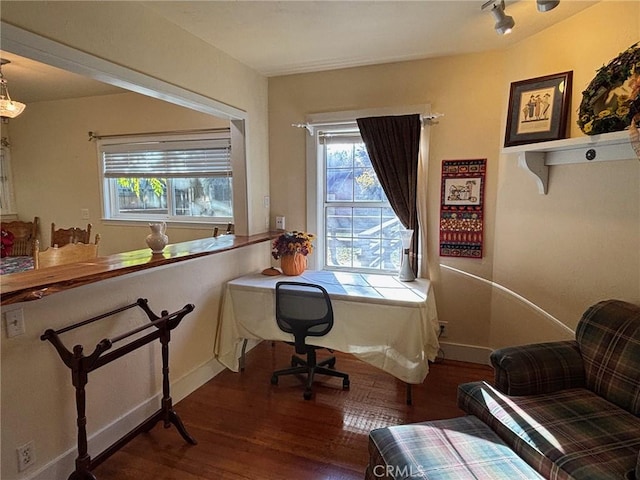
(538, 157)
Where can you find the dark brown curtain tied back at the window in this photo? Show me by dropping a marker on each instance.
(393, 144)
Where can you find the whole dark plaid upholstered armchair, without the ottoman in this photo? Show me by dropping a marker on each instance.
(570, 409)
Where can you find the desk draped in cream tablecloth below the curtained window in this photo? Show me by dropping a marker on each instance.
(390, 324)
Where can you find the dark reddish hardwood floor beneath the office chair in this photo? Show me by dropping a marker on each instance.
(248, 429)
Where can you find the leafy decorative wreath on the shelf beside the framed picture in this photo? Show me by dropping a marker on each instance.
(612, 99)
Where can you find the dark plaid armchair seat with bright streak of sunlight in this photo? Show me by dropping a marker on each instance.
(571, 434)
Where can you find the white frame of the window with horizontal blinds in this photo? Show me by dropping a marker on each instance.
(108, 187)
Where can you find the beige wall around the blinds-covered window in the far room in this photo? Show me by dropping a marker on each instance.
(55, 167)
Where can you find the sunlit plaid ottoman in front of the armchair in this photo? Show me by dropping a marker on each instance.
(453, 449)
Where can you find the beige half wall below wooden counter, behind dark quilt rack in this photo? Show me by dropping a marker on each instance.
(38, 400)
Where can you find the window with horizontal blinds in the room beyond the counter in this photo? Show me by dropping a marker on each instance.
(186, 178)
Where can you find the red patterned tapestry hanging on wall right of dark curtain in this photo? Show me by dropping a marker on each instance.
(461, 208)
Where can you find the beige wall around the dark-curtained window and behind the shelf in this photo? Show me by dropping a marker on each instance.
(546, 257)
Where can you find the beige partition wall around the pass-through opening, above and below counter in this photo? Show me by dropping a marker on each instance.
(37, 397)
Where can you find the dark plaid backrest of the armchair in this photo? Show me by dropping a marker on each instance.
(608, 336)
